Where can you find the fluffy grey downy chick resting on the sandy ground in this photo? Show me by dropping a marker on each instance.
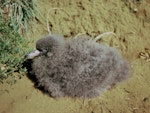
(78, 67)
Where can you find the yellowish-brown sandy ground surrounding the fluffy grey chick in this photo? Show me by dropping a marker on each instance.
(131, 23)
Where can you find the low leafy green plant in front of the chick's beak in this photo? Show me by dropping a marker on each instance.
(13, 48)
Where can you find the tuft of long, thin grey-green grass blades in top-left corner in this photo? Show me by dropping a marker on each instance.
(19, 12)
